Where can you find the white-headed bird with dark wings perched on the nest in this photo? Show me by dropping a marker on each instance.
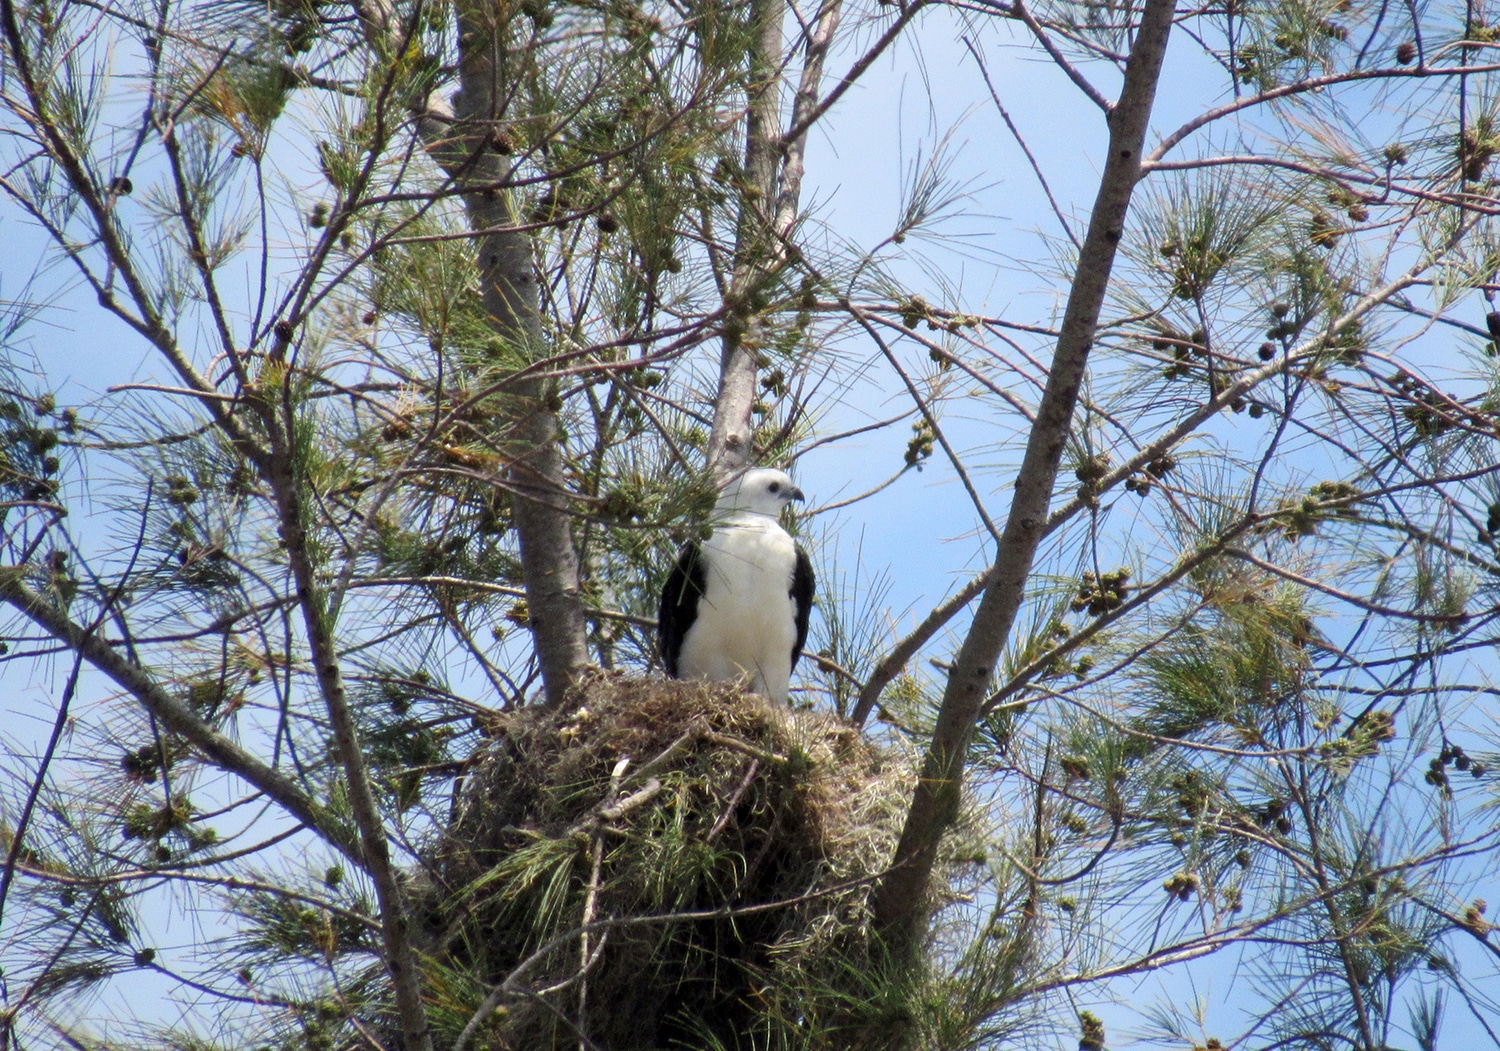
(736, 608)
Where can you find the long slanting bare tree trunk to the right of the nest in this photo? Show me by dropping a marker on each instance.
(901, 902)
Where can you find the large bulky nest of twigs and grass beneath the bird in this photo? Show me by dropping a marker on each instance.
(661, 864)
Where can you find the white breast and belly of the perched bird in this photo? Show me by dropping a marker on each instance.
(746, 621)
